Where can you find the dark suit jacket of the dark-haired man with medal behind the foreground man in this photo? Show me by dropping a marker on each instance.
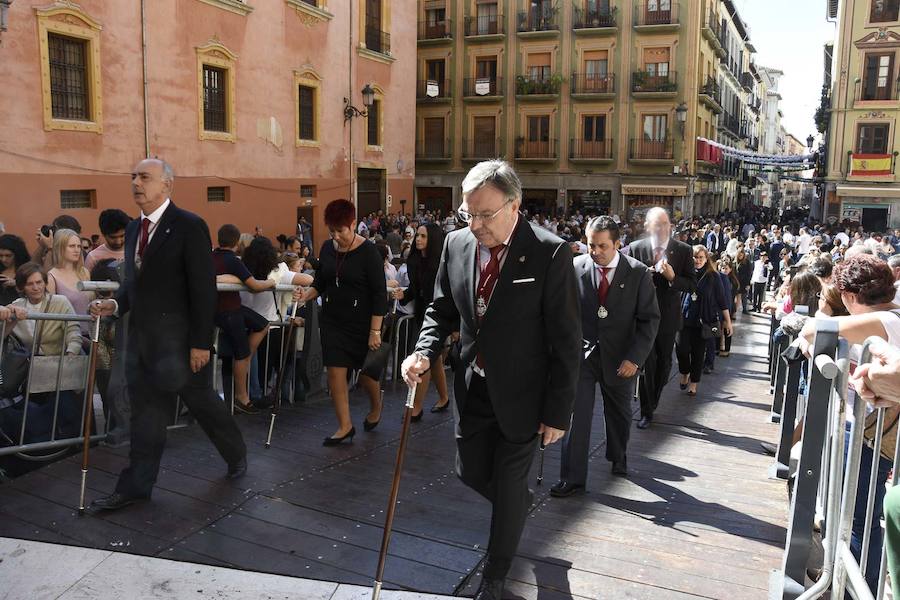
(630, 329)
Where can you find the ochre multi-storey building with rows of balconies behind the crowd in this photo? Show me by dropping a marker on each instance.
(597, 102)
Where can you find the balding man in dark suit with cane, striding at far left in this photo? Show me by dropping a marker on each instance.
(170, 293)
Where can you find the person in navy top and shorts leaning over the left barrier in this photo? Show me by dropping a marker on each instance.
(242, 327)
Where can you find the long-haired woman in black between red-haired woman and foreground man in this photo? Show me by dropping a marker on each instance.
(422, 266)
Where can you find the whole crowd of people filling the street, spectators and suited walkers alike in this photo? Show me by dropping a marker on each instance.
(588, 299)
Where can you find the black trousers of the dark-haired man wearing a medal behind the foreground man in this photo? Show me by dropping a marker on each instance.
(616, 413)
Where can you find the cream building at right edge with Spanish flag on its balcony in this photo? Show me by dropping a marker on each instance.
(863, 186)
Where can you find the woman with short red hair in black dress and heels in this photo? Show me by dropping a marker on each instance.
(350, 281)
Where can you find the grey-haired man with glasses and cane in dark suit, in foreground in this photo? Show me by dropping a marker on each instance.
(509, 288)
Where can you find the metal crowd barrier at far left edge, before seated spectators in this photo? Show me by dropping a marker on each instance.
(54, 374)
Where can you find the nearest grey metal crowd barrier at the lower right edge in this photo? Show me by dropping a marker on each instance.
(825, 489)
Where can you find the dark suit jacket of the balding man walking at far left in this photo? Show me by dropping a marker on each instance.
(171, 298)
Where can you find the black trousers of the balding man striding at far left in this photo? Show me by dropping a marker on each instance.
(153, 409)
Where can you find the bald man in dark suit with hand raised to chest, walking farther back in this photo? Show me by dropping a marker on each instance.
(672, 264)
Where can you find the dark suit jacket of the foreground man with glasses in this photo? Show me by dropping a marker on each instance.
(530, 337)
